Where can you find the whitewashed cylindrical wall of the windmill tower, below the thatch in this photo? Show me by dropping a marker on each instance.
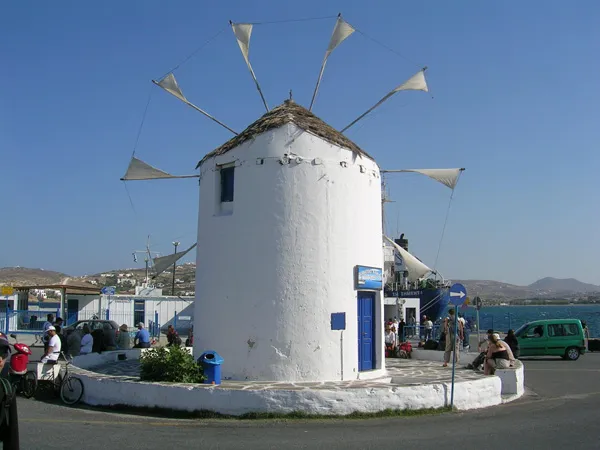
(272, 269)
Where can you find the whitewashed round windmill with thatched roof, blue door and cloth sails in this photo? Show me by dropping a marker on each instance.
(289, 241)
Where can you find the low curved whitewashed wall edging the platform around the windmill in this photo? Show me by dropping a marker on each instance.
(106, 390)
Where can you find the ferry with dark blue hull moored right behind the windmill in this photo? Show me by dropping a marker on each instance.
(412, 289)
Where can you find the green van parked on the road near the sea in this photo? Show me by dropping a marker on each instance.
(560, 337)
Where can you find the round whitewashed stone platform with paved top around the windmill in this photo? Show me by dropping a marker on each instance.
(409, 384)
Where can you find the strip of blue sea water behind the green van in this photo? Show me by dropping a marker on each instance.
(503, 318)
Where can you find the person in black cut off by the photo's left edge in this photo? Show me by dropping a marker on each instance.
(9, 422)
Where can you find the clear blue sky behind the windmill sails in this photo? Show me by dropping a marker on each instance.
(516, 94)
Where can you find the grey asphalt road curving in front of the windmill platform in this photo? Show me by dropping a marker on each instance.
(560, 410)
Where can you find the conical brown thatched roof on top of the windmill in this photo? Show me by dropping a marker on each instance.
(288, 111)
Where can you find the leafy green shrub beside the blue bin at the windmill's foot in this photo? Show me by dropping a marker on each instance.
(174, 364)
